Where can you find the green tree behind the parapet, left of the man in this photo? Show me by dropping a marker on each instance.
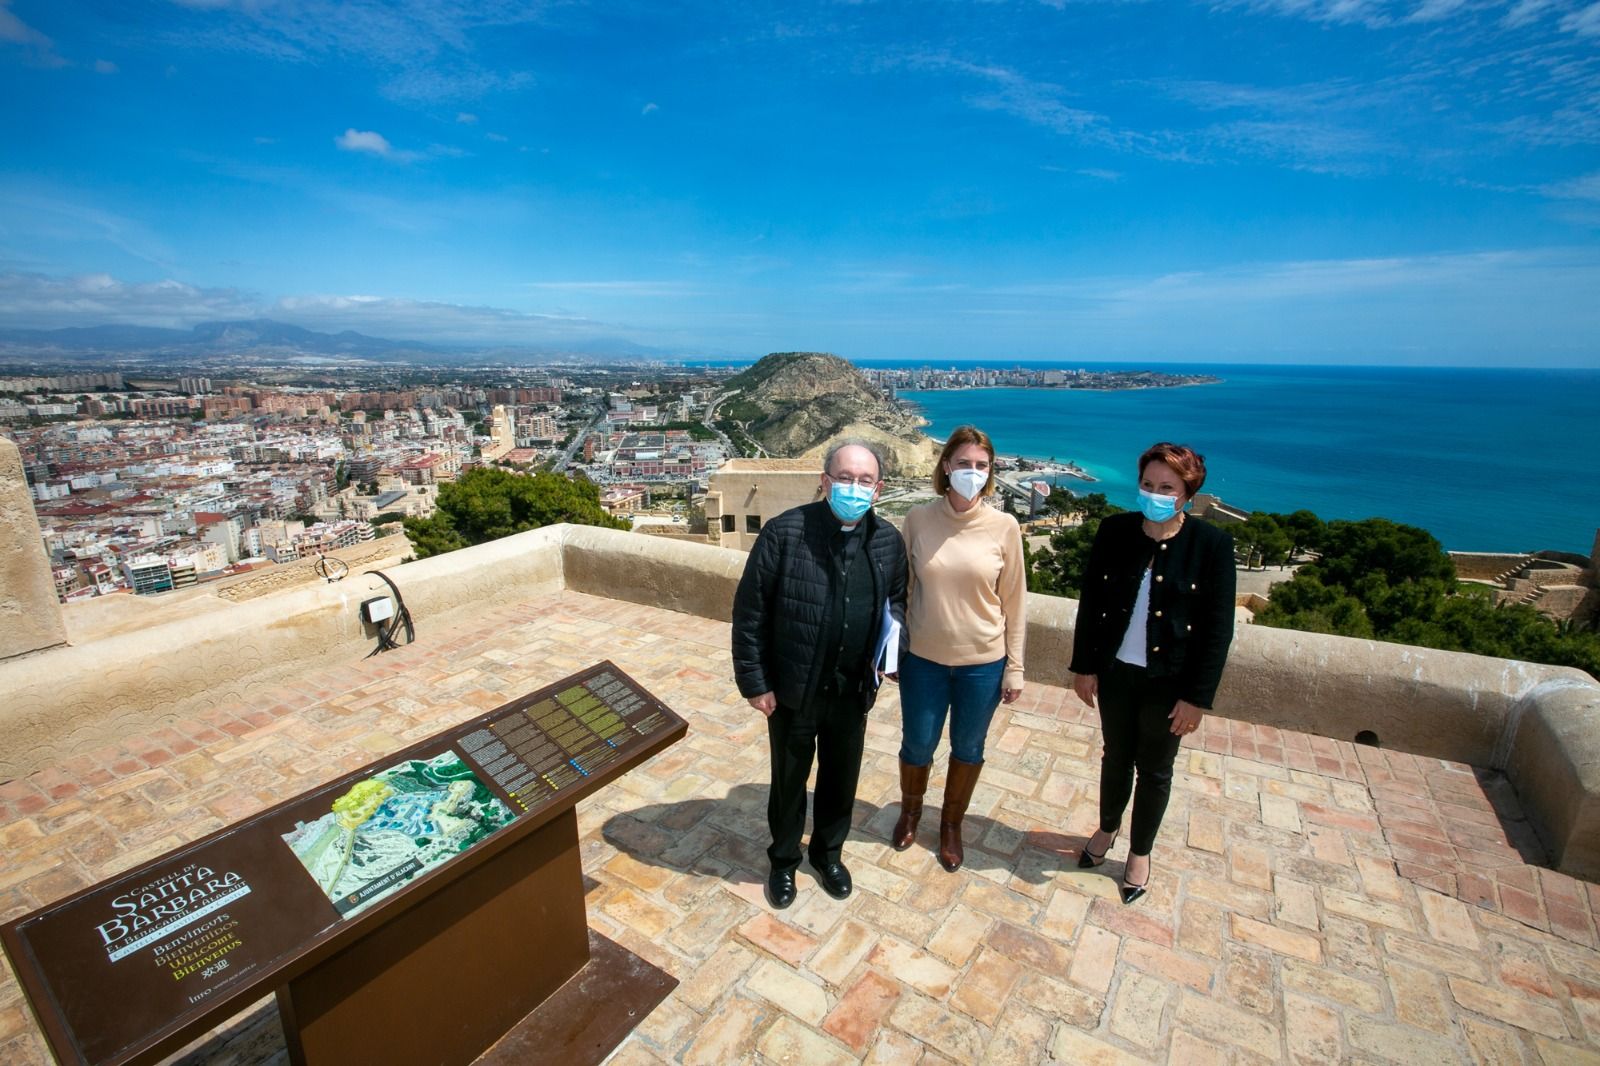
(489, 503)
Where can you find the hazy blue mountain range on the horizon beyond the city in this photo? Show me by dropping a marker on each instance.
(281, 339)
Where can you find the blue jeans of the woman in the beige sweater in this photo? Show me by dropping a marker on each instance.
(929, 691)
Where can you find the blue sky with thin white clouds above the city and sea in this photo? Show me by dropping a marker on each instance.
(1236, 182)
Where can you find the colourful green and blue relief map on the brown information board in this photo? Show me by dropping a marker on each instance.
(394, 827)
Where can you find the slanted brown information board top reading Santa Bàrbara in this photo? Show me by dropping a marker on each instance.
(178, 939)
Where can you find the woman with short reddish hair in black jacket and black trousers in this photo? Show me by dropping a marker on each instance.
(1153, 633)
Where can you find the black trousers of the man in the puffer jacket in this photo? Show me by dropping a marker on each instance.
(831, 731)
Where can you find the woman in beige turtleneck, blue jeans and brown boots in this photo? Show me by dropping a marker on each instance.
(967, 625)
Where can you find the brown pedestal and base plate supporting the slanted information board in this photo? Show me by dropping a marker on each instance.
(471, 964)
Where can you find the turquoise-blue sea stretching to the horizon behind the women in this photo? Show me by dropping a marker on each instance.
(1487, 460)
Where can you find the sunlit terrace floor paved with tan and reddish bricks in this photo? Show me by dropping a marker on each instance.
(1313, 902)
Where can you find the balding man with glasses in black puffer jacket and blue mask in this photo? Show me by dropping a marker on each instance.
(807, 622)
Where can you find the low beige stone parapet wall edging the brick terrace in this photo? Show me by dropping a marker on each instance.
(1542, 724)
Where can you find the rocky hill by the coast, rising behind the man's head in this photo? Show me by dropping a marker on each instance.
(796, 404)
